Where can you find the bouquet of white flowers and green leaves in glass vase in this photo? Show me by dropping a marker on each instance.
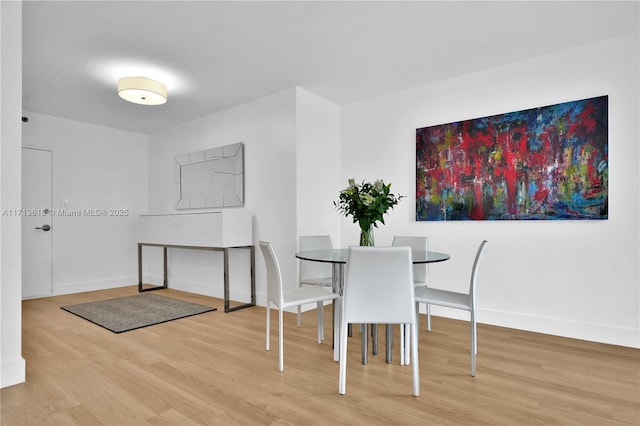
(366, 203)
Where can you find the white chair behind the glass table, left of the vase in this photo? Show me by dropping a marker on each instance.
(314, 273)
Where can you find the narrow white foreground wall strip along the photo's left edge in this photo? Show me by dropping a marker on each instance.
(12, 365)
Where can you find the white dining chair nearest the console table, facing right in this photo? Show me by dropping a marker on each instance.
(283, 299)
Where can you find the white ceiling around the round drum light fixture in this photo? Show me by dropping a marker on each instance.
(213, 55)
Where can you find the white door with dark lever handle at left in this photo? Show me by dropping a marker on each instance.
(37, 223)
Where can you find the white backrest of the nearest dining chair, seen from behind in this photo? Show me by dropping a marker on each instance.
(379, 286)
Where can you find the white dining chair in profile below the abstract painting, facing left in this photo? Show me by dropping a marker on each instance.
(464, 301)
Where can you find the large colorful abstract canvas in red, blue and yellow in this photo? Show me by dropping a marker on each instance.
(544, 163)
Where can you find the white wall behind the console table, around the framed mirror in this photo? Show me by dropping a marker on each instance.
(266, 126)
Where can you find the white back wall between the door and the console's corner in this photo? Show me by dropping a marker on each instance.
(94, 167)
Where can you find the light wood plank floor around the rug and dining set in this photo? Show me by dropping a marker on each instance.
(213, 369)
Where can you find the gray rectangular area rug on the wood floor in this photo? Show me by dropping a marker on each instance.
(133, 312)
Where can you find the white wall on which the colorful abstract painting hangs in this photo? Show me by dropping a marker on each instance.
(570, 278)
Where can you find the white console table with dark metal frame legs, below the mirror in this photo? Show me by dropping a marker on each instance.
(213, 231)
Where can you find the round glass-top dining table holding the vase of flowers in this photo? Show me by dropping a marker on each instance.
(338, 259)
